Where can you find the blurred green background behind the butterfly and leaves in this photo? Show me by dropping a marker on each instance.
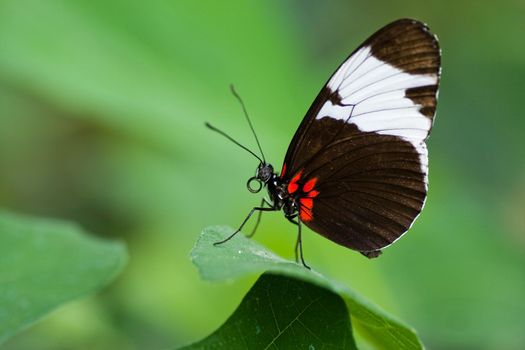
(102, 111)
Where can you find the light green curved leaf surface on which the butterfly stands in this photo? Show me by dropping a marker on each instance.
(241, 256)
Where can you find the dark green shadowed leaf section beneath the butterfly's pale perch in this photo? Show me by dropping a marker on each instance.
(280, 312)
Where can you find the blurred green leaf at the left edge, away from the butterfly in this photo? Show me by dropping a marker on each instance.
(45, 263)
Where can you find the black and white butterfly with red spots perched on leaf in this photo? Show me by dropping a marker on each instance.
(356, 171)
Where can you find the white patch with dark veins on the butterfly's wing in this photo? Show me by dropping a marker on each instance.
(373, 92)
